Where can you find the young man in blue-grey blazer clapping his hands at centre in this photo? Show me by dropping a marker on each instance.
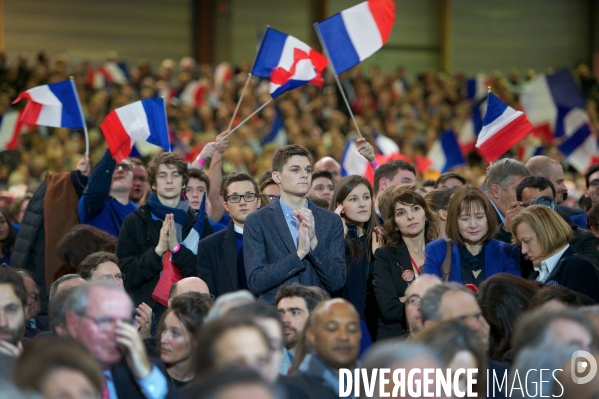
(292, 240)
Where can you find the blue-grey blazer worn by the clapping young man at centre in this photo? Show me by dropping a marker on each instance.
(271, 255)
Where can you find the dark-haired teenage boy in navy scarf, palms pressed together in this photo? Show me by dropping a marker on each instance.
(157, 229)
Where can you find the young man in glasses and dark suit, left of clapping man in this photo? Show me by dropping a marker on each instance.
(221, 264)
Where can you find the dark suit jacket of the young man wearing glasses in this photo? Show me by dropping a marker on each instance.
(217, 261)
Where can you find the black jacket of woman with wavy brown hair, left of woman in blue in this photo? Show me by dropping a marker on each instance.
(389, 286)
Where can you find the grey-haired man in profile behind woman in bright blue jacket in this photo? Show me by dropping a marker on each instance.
(503, 177)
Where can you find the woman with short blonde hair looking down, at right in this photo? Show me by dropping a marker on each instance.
(544, 237)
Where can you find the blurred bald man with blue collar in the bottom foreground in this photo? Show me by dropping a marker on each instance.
(334, 334)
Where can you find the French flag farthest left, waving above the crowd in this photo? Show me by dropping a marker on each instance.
(54, 105)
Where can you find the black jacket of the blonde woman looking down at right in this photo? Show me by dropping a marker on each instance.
(575, 272)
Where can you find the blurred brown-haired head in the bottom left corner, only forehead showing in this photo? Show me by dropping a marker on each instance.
(58, 368)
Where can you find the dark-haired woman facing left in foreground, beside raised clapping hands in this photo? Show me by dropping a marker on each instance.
(176, 333)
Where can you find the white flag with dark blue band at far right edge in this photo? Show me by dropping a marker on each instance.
(579, 144)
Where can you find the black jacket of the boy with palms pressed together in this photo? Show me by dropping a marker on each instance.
(137, 256)
